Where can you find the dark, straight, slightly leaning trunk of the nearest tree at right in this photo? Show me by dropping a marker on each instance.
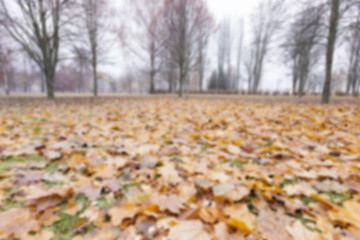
(334, 17)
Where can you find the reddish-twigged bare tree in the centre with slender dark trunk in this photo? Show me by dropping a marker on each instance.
(183, 20)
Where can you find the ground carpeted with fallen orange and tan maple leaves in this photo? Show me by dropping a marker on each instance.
(180, 170)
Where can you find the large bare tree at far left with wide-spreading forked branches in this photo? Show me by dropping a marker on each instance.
(37, 30)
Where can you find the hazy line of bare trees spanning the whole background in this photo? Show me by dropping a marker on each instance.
(178, 46)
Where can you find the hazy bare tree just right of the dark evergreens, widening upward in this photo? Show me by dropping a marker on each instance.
(266, 22)
